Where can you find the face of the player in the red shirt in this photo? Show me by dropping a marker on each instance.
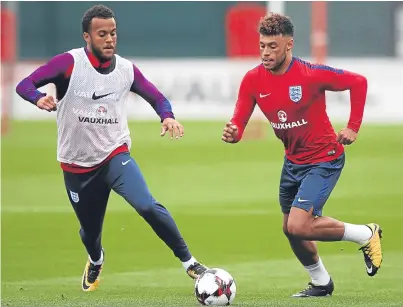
(274, 49)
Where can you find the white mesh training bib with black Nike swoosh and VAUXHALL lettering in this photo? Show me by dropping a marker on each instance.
(91, 117)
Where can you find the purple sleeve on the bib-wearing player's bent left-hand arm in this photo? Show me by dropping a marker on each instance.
(51, 72)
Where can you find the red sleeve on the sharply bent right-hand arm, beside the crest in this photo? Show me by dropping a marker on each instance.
(332, 79)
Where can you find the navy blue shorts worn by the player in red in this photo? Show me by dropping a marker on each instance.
(308, 185)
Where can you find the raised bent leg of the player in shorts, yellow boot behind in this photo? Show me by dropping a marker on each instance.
(307, 223)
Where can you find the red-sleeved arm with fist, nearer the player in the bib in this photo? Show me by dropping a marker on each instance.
(244, 107)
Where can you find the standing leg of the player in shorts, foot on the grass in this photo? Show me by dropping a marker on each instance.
(305, 251)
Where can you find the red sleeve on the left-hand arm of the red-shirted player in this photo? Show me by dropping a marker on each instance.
(245, 104)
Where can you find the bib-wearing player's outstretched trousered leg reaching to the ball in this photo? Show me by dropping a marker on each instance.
(127, 180)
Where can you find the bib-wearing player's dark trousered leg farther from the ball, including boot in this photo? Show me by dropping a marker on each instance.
(88, 194)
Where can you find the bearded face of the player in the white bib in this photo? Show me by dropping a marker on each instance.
(102, 38)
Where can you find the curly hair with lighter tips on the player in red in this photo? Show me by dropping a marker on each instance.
(276, 24)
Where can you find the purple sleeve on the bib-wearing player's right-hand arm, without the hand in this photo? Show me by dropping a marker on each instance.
(151, 94)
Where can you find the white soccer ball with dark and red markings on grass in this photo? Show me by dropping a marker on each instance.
(215, 287)
